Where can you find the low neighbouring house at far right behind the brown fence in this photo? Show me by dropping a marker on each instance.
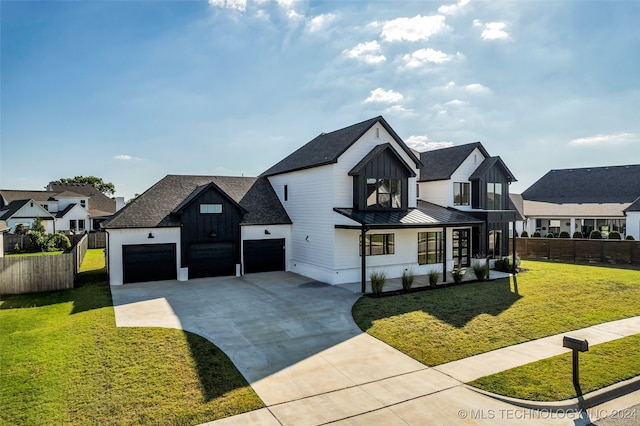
(583, 200)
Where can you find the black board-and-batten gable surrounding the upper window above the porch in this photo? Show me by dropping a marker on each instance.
(381, 162)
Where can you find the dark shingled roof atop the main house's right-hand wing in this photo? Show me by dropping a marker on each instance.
(440, 164)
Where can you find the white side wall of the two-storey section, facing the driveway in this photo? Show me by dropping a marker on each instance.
(310, 207)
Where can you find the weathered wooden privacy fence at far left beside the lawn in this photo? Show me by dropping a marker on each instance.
(34, 274)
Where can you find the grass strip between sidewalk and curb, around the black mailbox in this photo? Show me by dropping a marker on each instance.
(551, 379)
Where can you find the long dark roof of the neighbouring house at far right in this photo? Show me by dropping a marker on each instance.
(613, 184)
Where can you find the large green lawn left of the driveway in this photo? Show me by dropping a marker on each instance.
(65, 362)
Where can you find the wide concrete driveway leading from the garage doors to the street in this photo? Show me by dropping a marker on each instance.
(295, 342)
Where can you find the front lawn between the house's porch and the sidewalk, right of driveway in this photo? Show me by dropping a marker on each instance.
(448, 324)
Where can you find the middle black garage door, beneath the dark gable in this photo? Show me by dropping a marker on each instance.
(211, 260)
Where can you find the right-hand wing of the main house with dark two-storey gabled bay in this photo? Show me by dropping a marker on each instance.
(466, 178)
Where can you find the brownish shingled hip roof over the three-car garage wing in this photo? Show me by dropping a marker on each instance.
(155, 207)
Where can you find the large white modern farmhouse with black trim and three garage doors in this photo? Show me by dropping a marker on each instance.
(343, 205)
